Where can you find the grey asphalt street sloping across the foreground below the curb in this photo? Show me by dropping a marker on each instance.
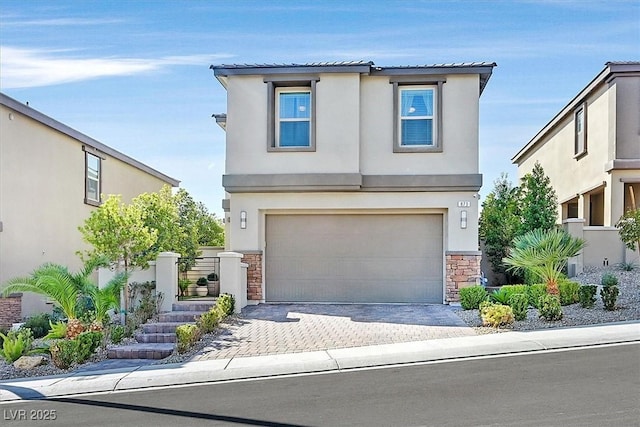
(583, 387)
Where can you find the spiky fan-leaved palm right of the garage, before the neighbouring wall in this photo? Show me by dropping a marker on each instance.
(544, 253)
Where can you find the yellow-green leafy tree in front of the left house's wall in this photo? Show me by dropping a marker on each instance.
(118, 232)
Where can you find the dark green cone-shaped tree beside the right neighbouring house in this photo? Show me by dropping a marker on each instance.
(538, 201)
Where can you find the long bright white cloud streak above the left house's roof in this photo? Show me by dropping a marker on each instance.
(22, 68)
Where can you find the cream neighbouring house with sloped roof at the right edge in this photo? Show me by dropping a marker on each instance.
(591, 152)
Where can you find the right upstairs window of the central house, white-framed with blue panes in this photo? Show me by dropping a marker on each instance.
(417, 116)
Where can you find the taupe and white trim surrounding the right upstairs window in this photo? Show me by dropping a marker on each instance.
(405, 82)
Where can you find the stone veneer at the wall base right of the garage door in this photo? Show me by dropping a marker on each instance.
(463, 269)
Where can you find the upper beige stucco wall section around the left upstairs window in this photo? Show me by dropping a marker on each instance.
(337, 130)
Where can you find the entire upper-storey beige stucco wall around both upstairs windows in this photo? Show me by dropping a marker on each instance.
(354, 135)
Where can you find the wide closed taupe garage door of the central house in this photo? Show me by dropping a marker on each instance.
(354, 258)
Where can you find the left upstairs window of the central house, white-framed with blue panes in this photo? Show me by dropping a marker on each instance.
(294, 117)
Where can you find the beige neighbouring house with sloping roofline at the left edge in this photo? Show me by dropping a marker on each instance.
(51, 178)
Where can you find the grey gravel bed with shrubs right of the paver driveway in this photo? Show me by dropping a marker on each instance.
(627, 306)
